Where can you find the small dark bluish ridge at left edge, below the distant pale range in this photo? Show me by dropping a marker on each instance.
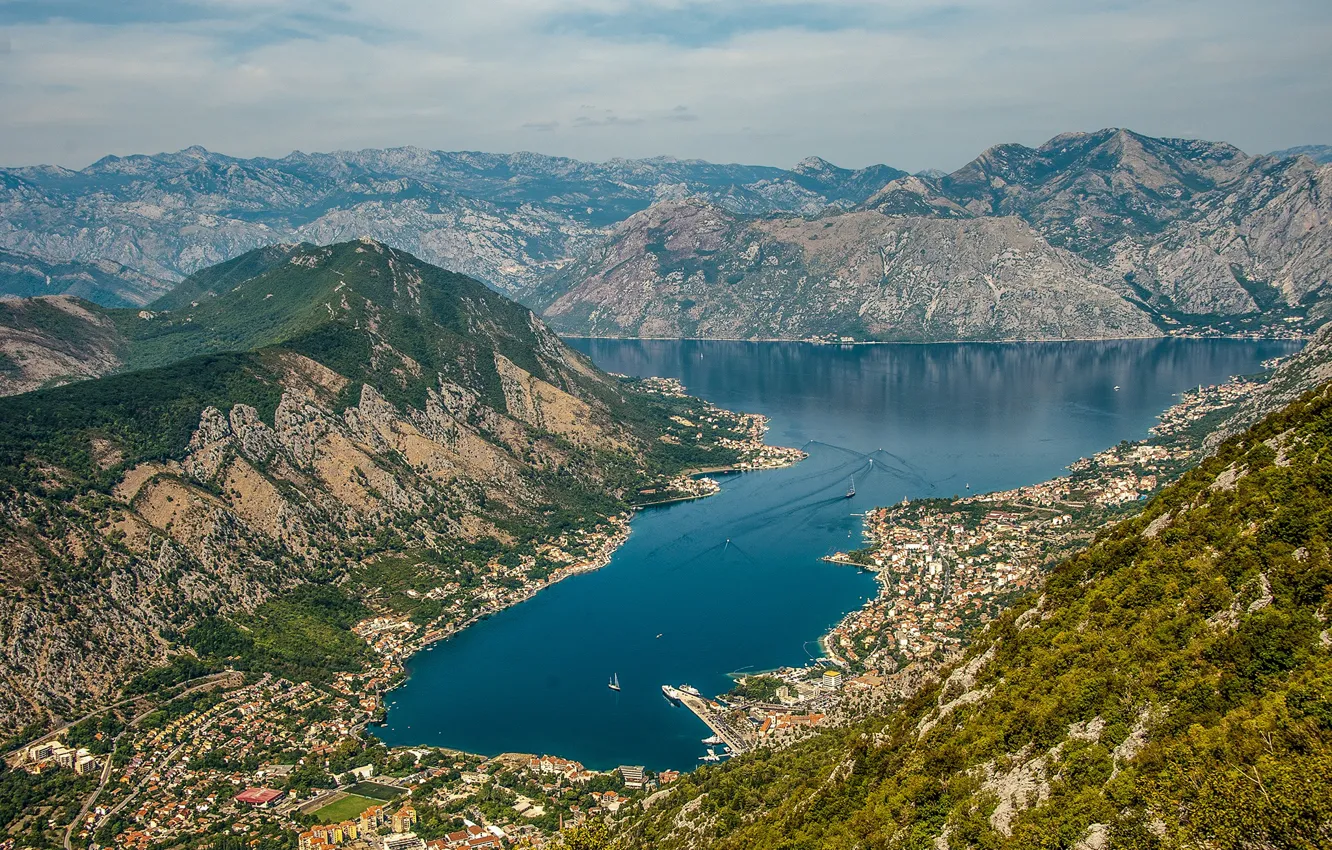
(101, 282)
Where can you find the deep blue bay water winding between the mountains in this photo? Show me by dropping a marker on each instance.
(735, 583)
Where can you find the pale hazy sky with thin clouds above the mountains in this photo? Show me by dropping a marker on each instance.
(910, 83)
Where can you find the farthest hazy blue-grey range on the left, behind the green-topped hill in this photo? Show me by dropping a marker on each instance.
(504, 219)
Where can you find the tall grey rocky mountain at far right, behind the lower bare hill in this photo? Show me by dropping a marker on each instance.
(1195, 228)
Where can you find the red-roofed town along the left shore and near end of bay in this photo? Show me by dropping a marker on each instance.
(279, 764)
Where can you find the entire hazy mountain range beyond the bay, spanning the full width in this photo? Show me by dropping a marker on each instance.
(1186, 235)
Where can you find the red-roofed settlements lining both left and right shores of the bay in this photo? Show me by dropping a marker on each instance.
(280, 764)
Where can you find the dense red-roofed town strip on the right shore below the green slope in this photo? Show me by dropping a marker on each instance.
(946, 567)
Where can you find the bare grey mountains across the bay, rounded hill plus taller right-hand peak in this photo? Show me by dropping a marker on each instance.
(1187, 232)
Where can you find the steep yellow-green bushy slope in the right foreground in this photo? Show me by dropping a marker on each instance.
(1171, 687)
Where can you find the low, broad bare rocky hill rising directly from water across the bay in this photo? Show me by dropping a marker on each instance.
(693, 270)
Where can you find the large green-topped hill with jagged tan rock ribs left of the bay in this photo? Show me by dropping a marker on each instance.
(312, 407)
